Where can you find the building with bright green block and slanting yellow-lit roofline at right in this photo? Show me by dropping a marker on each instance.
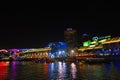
(104, 45)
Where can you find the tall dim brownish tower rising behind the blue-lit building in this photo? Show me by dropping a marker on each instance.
(70, 36)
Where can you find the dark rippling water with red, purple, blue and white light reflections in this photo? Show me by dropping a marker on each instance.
(59, 71)
